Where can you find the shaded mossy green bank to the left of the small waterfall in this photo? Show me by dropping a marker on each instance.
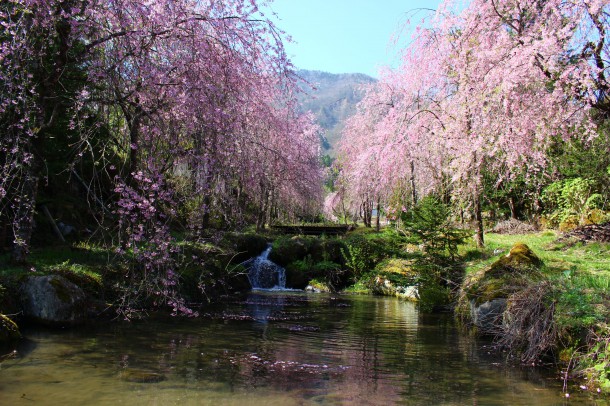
(204, 271)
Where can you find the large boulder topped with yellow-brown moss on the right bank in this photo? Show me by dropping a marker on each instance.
(485, 294)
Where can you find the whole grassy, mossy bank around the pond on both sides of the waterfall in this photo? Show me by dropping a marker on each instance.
(575, 273)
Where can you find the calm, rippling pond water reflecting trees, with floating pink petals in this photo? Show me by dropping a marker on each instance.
(273, 348)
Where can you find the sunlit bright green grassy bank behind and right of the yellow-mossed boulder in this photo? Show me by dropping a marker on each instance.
(575, 286)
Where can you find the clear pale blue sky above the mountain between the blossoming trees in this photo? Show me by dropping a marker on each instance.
(345, 36)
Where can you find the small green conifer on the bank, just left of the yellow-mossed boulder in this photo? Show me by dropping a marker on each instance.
(429, 223)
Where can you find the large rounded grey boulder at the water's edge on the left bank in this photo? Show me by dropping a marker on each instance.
(53, 300)
